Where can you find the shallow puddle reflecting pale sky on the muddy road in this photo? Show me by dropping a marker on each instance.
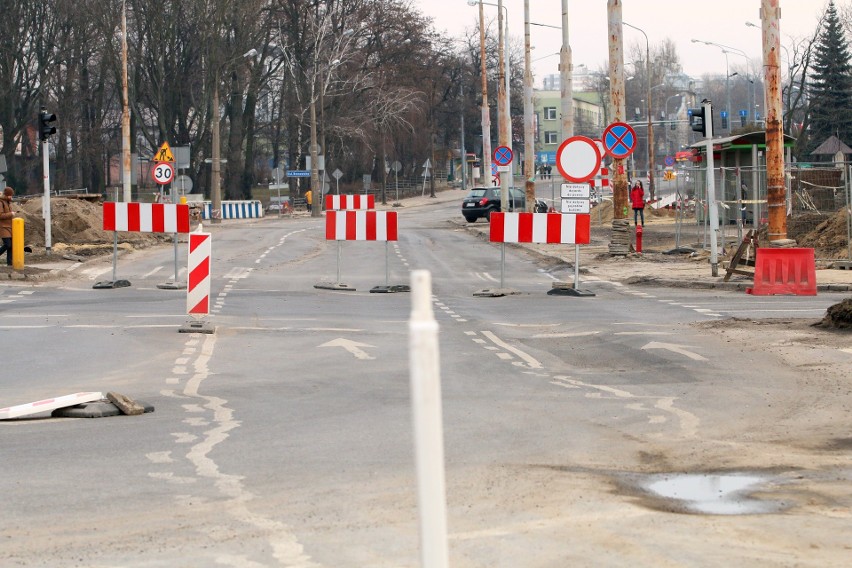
(709, 494)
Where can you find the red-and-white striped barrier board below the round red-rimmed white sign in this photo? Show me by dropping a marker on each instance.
(556, 228)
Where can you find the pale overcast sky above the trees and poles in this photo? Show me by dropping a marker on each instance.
(719, 21)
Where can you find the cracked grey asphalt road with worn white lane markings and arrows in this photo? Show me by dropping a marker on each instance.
(285, 438)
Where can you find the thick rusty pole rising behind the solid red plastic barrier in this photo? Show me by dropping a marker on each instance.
(770, 16)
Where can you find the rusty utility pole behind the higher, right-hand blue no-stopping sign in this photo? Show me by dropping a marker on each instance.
(620, 237)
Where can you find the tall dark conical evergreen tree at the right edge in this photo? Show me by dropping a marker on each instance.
(831, 84)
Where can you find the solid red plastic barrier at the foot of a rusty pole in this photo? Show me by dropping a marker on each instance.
(784, 271)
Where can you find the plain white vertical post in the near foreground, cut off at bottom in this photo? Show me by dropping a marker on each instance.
(425, 372)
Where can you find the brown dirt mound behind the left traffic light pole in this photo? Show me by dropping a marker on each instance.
(75, 224)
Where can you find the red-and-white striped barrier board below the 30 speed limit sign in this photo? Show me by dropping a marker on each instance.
(146, 217)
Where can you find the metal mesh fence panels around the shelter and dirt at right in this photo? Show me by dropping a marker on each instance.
(819, 204)
